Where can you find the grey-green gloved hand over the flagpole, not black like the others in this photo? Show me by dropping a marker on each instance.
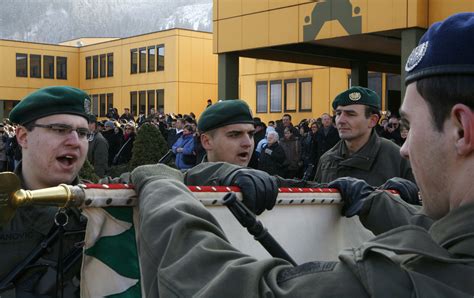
(144, 174)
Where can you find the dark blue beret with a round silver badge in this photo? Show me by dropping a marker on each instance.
(445, 49)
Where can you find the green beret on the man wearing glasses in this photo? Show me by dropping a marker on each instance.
(51, 101)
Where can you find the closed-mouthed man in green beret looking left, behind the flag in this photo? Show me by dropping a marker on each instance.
(361, 153)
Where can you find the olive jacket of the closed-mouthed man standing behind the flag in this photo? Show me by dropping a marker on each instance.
(376, 162)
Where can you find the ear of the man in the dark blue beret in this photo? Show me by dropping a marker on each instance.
(463, 119)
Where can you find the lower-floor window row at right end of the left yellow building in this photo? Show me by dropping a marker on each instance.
(141, 102)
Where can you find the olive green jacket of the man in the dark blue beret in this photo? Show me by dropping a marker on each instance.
(184, 252)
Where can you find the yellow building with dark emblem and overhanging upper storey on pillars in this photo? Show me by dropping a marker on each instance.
(364, 42)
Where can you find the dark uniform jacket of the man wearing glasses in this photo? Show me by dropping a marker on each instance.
(29, 227)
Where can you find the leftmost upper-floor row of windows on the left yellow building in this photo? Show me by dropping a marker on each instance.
(38, 63)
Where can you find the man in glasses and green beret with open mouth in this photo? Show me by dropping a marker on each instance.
(52, 133)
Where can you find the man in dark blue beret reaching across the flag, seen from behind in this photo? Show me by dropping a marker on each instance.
(422, 253)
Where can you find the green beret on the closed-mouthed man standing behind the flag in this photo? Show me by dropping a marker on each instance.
(357, 96)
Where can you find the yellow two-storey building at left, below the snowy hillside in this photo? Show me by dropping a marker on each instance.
(173, 71)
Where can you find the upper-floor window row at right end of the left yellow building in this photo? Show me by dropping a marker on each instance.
(147, 59)
